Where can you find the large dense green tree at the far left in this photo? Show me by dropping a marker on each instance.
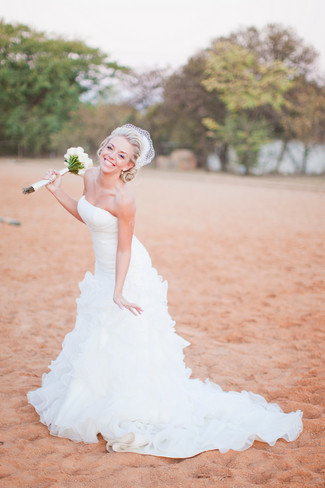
(42, 80)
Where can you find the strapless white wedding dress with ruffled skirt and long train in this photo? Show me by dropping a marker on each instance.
(124, 376)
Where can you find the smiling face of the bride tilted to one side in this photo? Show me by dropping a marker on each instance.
(116, 155)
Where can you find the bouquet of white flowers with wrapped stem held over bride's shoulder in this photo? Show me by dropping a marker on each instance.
(76, 160)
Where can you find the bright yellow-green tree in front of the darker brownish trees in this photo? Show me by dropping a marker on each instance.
(245, 85)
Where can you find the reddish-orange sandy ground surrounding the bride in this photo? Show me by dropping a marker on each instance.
(244, 259)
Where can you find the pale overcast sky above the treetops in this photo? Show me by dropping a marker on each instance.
(164, 33)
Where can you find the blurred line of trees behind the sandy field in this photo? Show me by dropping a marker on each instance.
(242, 91)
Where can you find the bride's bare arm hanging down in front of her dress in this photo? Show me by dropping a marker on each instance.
(126, 215)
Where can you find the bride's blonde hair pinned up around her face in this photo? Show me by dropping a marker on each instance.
(134, 138)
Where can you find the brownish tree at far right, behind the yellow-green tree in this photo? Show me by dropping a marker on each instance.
(302, 117)
